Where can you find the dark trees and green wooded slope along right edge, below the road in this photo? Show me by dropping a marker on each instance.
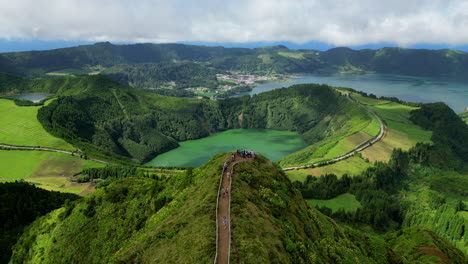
(397, 193)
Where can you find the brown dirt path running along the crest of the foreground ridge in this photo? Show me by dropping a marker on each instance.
(223, 236)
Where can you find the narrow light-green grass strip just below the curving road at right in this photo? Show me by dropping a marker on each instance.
(351, 166)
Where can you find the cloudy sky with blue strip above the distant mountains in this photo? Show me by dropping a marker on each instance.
(41, 24)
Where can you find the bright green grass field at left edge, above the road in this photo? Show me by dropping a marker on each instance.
(19, 126)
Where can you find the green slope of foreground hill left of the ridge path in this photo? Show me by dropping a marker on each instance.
(128, 225)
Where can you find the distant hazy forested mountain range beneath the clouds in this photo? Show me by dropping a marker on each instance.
(276, 59)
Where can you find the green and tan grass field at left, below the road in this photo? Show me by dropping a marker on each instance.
(51, 171)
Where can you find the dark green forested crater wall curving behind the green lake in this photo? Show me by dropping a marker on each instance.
(99, 115)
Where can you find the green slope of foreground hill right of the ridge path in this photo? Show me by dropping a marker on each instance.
(272, 224)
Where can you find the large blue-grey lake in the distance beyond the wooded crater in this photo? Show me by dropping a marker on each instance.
(414, 89)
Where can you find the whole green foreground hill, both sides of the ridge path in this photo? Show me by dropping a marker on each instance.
(139, 220)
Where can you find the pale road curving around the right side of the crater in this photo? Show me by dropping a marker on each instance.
(359, 147)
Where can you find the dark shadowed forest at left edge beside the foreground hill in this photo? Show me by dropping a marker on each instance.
(20, 204)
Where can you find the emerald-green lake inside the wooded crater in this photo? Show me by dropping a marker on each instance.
(273, 144)
